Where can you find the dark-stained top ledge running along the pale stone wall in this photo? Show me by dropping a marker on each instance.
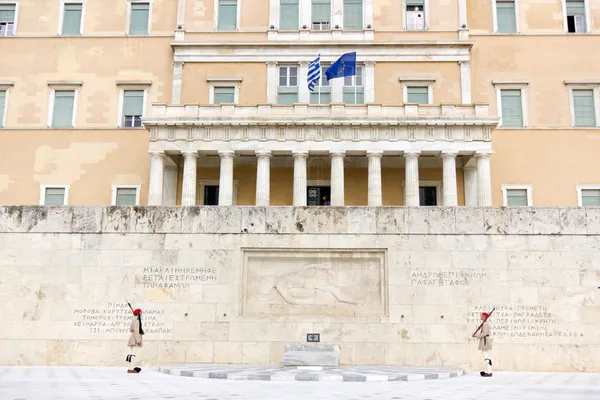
(303, 220)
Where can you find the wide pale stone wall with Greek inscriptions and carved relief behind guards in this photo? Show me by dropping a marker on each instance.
(236, 284)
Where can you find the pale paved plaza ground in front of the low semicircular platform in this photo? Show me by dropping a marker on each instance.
(83, 383)
